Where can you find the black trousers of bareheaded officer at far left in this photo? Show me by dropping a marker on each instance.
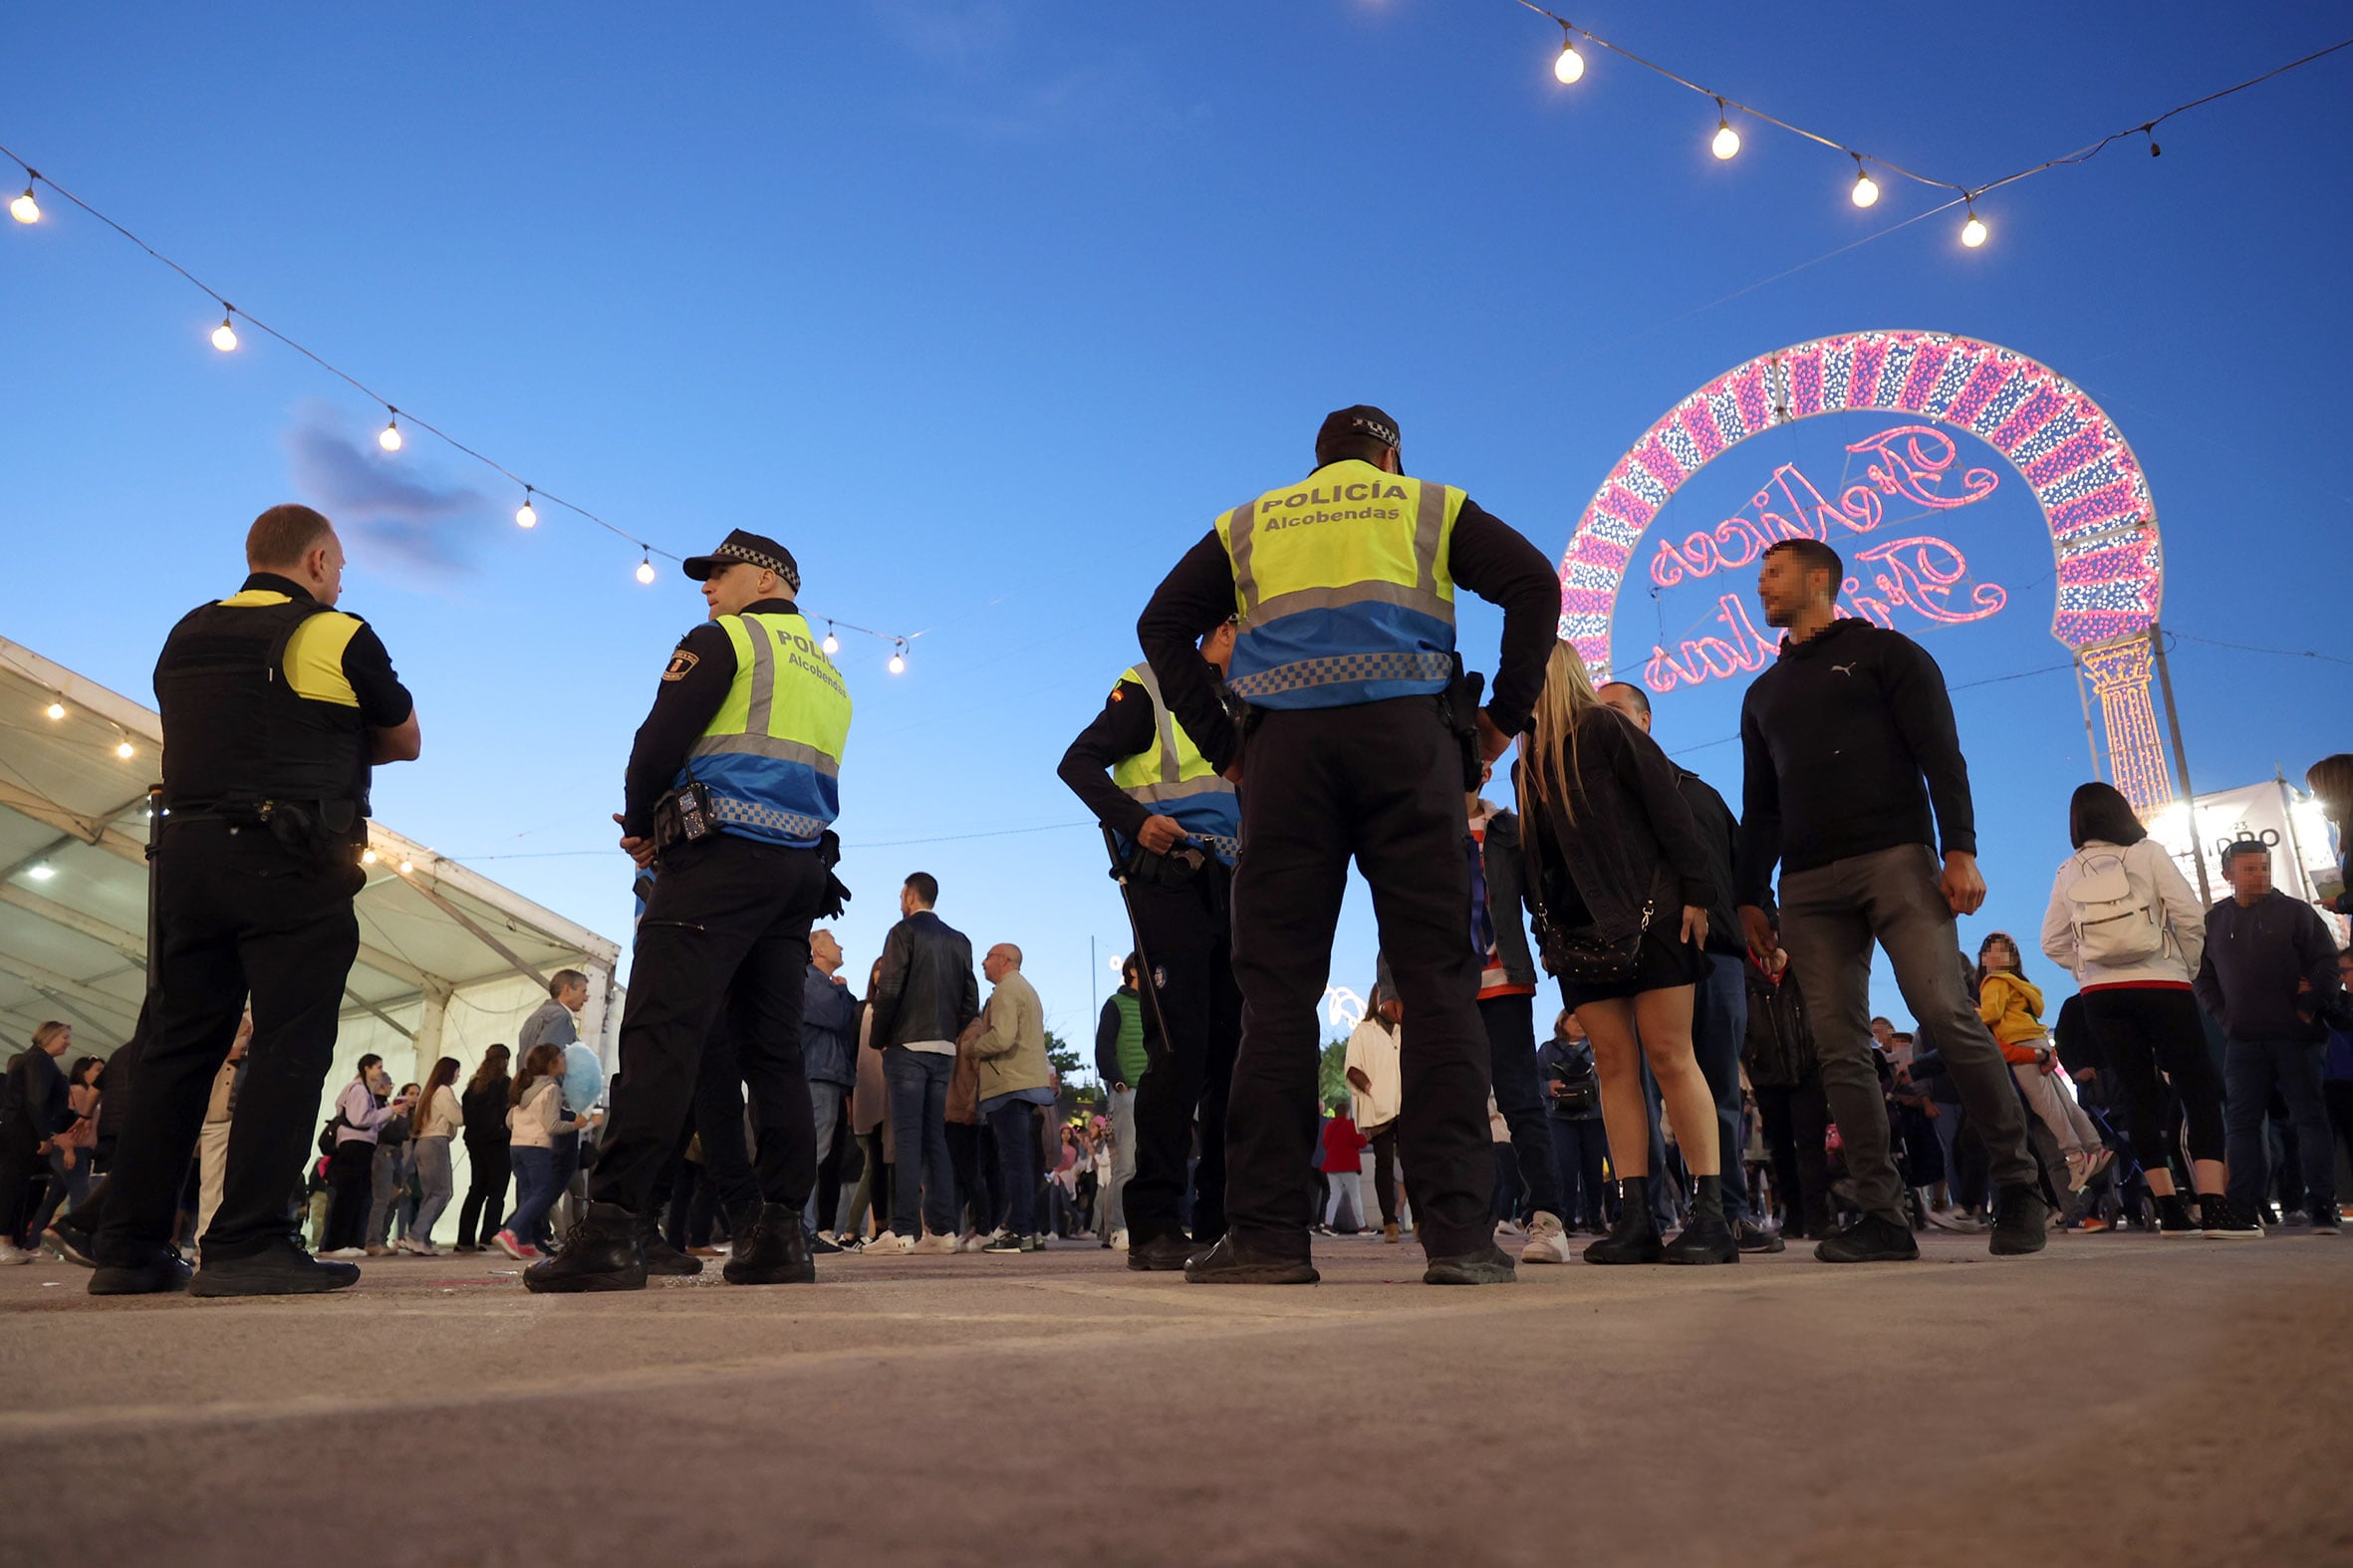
(236, 915)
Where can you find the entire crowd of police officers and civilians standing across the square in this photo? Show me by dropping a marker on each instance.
(1712, 1087)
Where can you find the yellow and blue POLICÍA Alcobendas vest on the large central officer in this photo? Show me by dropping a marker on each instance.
(1342, 587)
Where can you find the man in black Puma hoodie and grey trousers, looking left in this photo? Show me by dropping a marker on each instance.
(1837, 743)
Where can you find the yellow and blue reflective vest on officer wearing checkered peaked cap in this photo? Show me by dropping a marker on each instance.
(773, 755)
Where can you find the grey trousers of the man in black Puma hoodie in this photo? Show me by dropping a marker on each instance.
(1829, 922)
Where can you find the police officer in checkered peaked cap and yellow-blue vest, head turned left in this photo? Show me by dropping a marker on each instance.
(733, 785)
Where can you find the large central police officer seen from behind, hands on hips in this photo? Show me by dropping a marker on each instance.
(1361, 745)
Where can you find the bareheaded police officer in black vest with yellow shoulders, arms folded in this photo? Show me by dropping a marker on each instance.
(274, 710)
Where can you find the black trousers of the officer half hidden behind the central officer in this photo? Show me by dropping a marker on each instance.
(1187, 936)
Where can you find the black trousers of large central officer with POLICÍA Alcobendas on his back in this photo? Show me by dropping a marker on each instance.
(1380, 783)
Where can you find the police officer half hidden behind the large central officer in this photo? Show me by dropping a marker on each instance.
(1178, 828)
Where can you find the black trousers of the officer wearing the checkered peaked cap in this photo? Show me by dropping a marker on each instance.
(726, 934)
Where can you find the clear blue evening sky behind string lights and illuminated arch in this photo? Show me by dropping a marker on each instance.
(985, 310)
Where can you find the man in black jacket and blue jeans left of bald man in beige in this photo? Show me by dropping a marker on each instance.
(924, 999)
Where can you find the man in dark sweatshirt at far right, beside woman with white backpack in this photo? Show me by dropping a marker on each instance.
(2267, 976)
